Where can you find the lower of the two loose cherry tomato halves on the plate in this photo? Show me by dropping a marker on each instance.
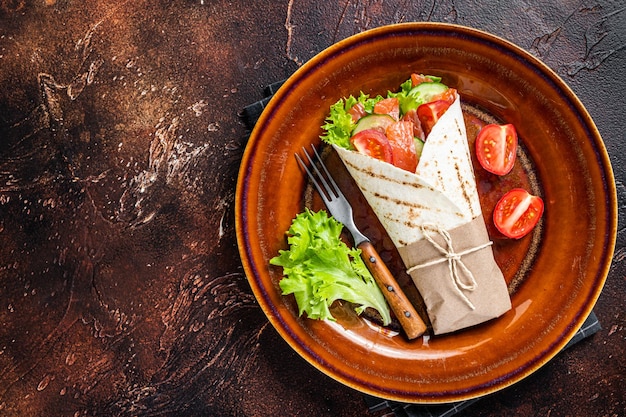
(517, 213)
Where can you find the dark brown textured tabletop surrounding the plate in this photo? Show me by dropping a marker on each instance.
(121, 289)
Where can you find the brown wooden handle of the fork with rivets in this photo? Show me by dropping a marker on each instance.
(410, 321)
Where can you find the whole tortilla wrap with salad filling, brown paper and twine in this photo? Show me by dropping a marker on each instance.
(409, 155)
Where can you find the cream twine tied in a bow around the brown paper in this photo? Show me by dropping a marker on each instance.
(455, 264)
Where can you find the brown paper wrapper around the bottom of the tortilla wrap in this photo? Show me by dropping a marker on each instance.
(447, 309)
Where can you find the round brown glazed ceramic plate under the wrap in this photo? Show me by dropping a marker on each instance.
(555, 275)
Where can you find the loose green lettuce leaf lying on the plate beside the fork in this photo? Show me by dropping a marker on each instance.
(320, 268)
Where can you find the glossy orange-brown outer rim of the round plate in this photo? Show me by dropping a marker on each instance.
(260, 293)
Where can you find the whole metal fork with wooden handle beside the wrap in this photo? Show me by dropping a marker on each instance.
(340, 209)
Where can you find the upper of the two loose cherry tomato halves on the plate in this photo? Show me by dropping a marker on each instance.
(496, 146)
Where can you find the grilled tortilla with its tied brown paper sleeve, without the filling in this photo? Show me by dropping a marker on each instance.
(434, 218)
